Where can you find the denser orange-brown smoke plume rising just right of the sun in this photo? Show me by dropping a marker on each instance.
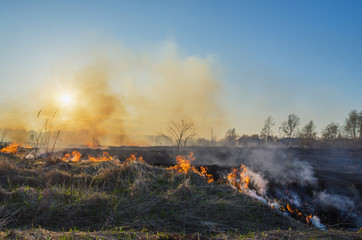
(97, 111)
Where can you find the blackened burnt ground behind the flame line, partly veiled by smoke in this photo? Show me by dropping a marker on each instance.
(326, 181)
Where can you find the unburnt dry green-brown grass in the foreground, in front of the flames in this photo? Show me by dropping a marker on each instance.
(49, 198)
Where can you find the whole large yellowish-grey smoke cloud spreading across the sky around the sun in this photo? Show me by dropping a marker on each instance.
(120, 96)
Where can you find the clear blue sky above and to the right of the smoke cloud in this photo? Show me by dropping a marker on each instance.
(276, 57)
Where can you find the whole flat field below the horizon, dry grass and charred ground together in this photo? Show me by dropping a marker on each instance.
(116, 196)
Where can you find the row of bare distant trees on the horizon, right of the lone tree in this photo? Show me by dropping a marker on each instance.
(289, 133)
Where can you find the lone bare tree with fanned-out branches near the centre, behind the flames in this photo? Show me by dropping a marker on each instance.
(178, 134)
